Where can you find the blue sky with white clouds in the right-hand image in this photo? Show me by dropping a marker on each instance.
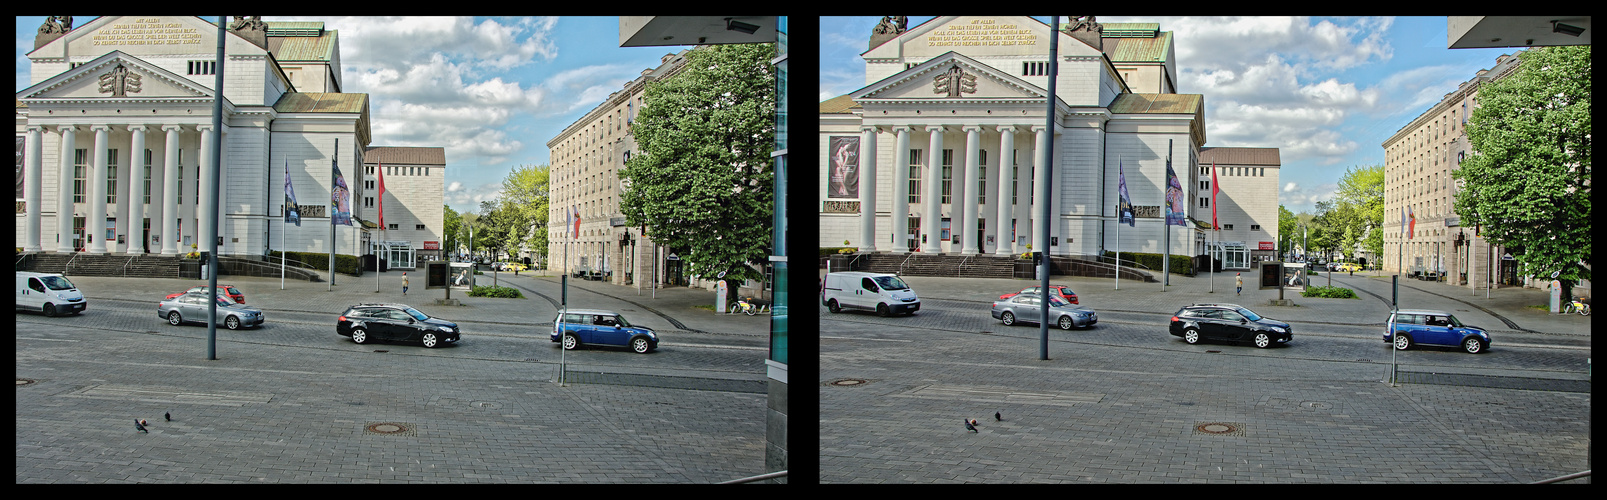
(1323, 91)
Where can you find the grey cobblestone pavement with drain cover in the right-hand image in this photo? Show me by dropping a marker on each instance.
(1126, 403)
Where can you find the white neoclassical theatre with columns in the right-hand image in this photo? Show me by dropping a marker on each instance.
(941, 150)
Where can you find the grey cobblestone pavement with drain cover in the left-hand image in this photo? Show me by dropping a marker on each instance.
(300, 406)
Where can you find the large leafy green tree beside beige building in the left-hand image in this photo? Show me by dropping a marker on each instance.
(703, 179)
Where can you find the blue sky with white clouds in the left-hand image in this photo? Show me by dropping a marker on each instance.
(491, 91)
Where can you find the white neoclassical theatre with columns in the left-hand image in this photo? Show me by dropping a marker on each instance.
(115, 141)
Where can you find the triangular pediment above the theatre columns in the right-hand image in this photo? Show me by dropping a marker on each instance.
(951, 76)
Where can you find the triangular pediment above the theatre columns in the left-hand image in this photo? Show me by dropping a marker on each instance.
(117, 76)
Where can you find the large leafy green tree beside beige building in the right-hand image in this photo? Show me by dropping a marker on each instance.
(1529, 181)
